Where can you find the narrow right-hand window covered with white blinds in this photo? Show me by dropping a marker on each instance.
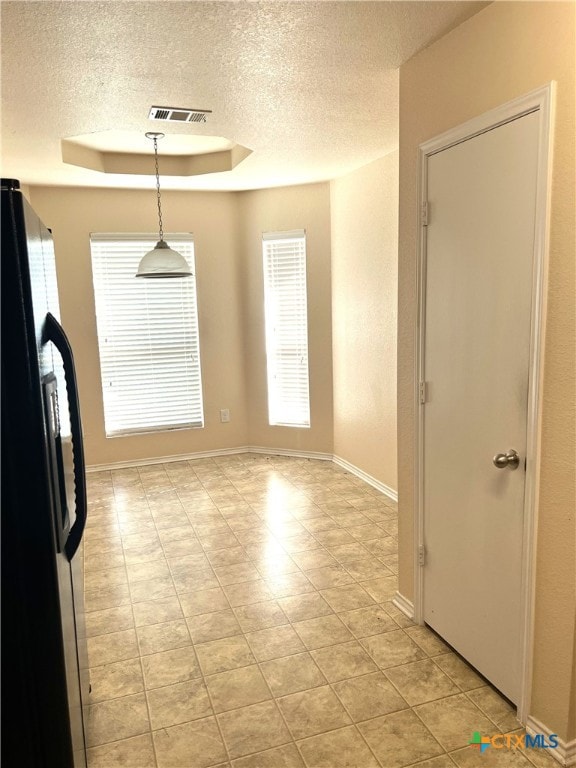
(286, 328)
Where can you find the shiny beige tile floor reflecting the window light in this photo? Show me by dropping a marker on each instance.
(239, 614)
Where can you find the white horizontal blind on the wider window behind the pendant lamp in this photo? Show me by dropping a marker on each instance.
(147, 337)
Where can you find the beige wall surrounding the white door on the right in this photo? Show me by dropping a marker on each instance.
(503, 52)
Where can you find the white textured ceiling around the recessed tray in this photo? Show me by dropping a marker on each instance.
(310, 87)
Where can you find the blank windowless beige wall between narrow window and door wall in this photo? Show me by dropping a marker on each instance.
(364, 207)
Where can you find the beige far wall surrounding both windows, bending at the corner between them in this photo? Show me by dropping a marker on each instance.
(227, 231)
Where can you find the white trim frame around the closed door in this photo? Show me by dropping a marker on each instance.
(541, 101)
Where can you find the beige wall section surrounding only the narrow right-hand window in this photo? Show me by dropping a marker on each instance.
(270, 210)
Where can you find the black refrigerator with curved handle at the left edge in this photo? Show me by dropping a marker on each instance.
(44, 682)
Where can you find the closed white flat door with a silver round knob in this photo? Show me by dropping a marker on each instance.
(479, 262)
